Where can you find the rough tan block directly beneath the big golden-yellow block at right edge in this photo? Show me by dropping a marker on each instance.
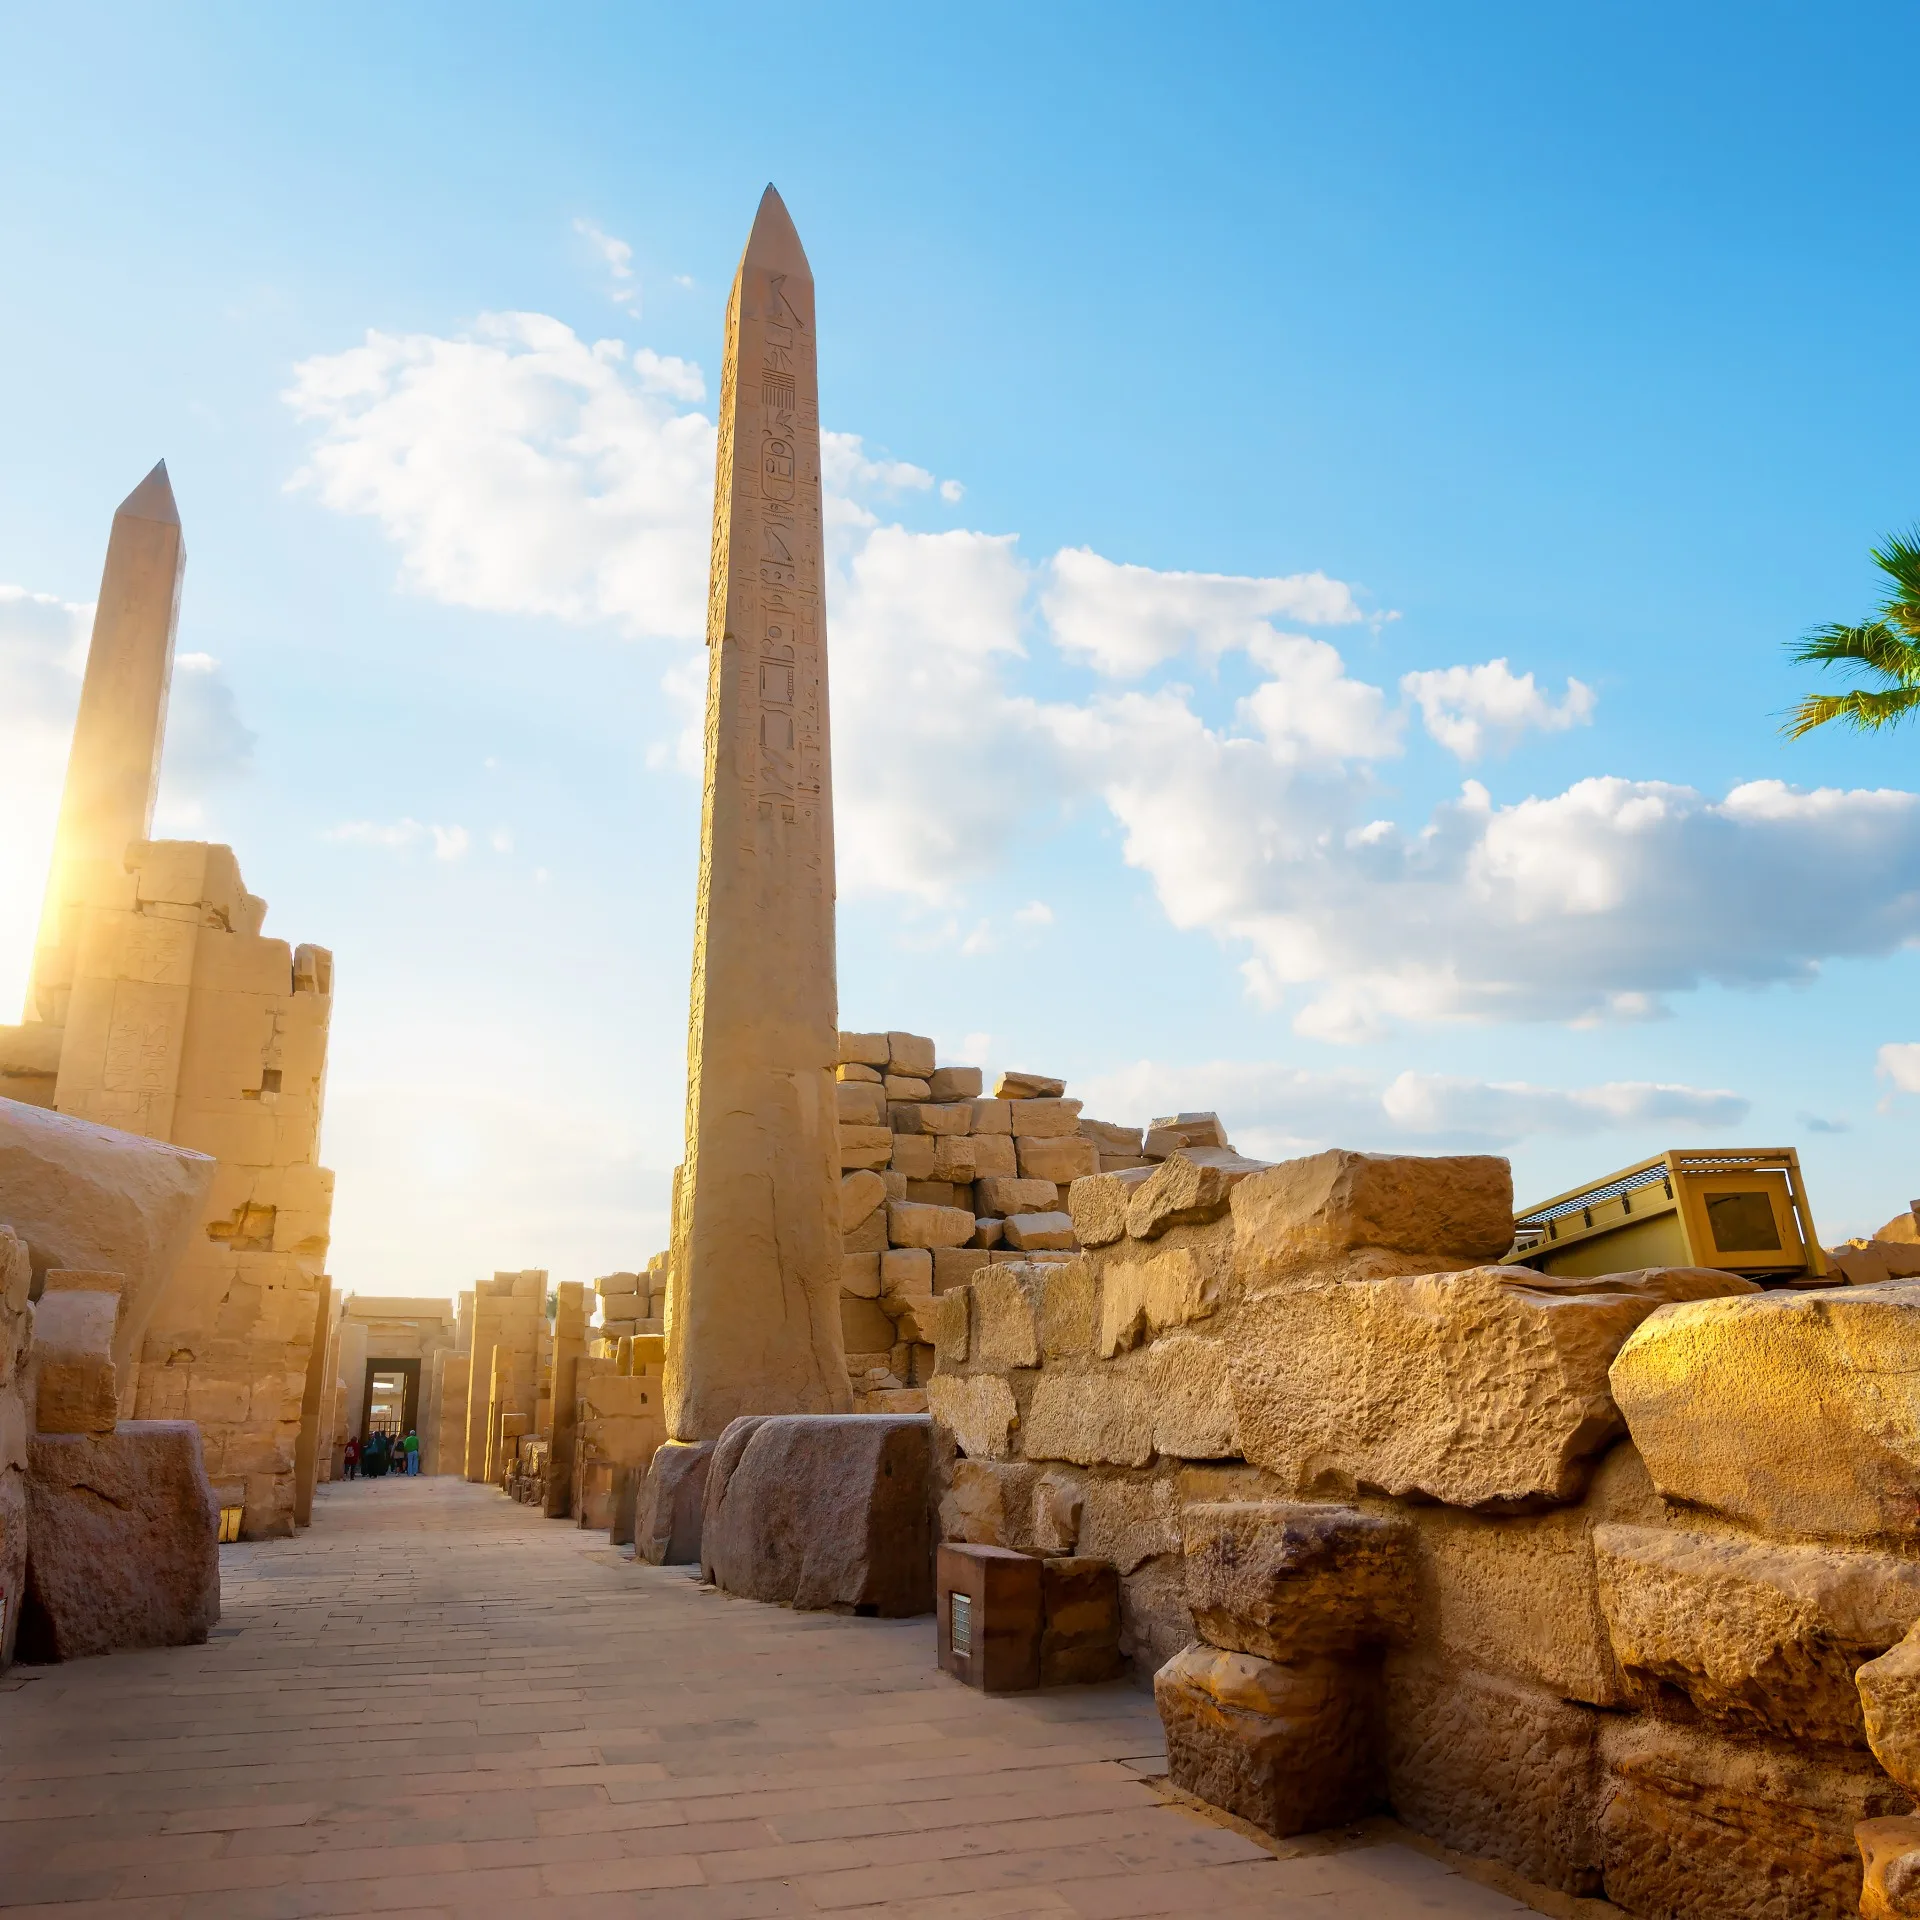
(1762, 1639)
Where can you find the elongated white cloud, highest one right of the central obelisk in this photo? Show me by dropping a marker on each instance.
(1126, 621)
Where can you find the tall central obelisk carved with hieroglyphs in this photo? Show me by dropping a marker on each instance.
(754, 1312)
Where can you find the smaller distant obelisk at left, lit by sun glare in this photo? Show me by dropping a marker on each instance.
(114, 763)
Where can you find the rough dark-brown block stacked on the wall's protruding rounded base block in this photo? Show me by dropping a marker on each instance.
(1297, 1583)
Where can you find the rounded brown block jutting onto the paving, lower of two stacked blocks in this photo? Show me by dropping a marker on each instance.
(1289, 1748)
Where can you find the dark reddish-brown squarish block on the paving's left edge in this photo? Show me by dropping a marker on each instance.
(124, 1543)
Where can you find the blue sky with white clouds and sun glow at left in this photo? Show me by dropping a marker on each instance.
(1318, 504)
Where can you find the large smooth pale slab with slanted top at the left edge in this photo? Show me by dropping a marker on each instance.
(101, 1201)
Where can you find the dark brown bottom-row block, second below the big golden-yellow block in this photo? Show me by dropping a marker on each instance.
(1700, 1825)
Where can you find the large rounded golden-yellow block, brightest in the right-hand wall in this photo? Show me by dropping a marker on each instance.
(1790, 1412)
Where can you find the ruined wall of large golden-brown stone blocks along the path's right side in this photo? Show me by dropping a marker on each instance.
(1589, 1575)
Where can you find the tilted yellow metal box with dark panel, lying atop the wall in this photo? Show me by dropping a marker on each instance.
(1744, 1212)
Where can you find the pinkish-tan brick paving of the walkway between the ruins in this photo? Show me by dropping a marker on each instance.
(439, 1704)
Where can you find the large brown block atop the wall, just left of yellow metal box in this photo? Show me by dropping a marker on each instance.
(1305, 1212)
